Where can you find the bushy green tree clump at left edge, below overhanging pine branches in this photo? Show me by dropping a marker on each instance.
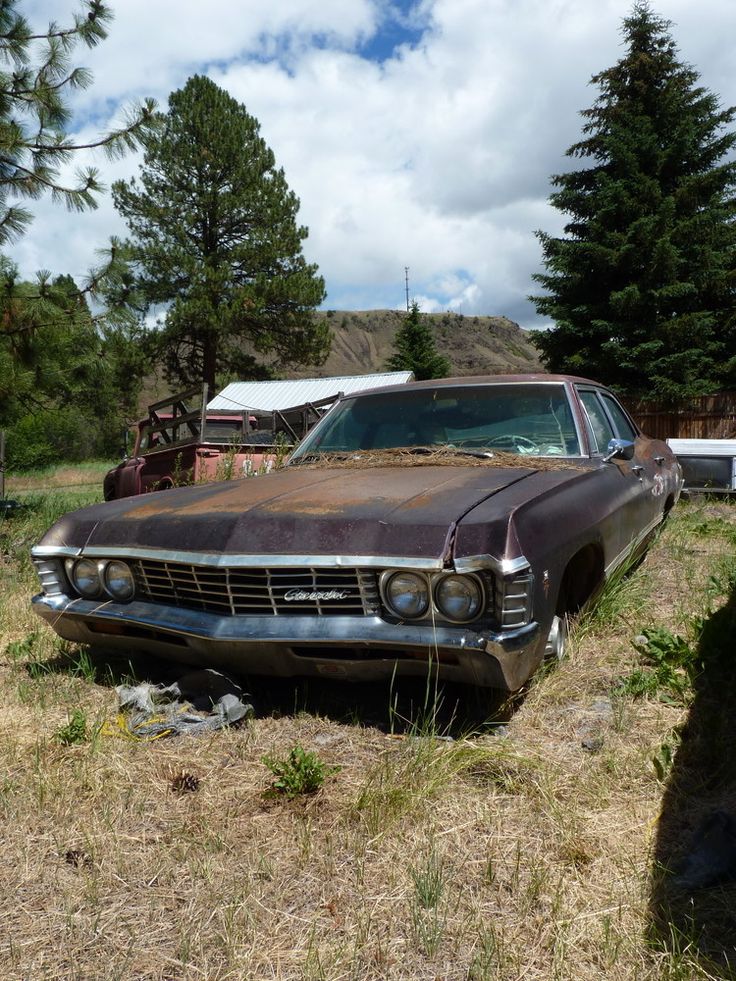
(68, 384)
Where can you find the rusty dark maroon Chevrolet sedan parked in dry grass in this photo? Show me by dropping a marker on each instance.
(449, 524)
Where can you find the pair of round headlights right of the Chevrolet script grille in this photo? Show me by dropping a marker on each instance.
(412, 595)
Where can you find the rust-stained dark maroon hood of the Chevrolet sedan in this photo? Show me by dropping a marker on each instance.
(387, 511)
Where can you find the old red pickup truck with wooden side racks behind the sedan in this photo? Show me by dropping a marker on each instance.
(175, 445)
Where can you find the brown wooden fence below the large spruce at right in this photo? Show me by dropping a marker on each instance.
(706, 417)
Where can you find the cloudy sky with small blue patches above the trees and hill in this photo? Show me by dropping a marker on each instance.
(415, 134)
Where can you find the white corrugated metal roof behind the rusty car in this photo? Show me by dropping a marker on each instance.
(267, 396)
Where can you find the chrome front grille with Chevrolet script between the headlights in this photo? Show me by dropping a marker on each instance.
(258, 592)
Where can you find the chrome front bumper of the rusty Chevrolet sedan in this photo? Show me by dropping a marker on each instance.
(352, 647)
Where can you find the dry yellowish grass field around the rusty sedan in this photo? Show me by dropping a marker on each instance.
(440, 849)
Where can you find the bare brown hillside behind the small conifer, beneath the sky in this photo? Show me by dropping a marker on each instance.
(363, 343)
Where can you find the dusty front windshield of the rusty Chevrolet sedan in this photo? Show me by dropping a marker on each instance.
(528, 419)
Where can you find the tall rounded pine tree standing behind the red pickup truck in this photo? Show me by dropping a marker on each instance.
(214, 235)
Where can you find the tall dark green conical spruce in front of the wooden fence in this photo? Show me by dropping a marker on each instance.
(641, 288)
